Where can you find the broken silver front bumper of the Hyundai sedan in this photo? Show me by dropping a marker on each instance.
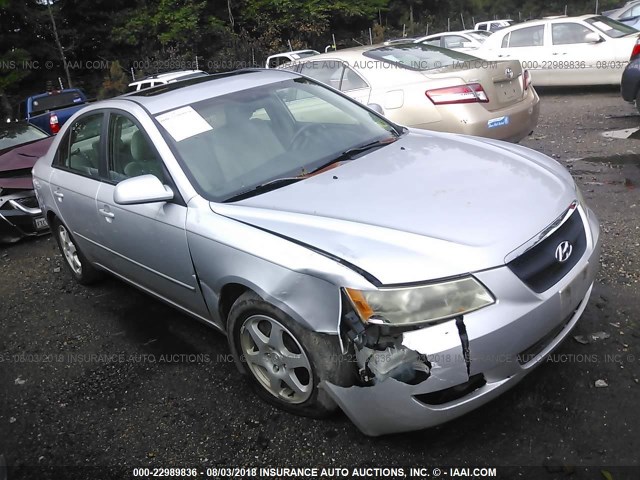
(505, 342)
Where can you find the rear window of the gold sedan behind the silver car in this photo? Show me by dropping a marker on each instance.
(419, 56)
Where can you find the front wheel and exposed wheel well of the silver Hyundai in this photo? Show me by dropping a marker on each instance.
(266, 341)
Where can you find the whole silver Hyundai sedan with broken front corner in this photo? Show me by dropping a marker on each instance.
(405, 276)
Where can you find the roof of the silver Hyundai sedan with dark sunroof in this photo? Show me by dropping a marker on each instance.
(173, 95)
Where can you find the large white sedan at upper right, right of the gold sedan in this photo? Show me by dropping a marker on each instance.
(584, 50)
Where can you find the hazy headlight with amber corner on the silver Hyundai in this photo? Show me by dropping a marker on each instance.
(427, 303)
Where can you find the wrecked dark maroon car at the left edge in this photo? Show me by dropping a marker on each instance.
(21, 144)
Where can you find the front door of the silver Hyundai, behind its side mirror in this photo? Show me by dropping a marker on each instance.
(147, 242)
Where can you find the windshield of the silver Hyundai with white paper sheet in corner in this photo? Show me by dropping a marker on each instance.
(234, 143)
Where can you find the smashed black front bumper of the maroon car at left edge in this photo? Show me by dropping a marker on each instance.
(20, 216)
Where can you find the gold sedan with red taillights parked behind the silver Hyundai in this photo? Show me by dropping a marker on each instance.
(433, 88)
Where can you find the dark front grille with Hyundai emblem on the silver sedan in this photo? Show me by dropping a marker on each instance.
(538, 267)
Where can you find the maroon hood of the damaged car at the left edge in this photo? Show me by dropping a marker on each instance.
(17, 161)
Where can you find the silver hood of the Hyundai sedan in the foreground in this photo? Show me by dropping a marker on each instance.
(430, 205)
